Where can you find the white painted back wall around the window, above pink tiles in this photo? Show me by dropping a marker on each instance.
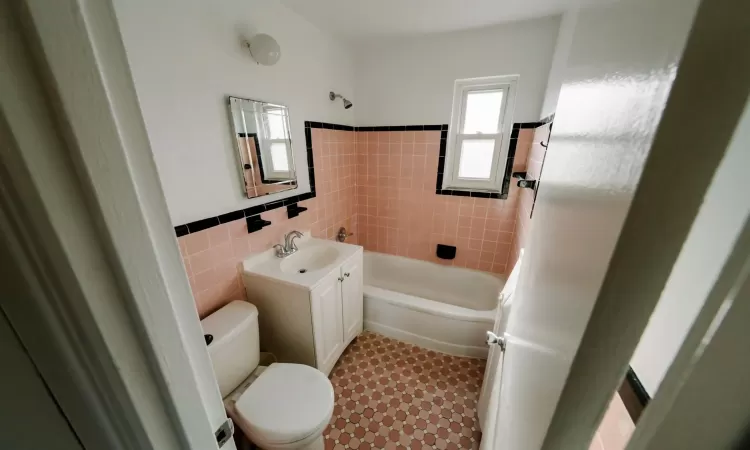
(407, 81)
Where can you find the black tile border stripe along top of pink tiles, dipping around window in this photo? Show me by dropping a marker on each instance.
(203, 224)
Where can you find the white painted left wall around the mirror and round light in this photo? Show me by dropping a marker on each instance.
(186, 58)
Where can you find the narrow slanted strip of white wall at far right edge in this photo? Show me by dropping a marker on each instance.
(712, 237)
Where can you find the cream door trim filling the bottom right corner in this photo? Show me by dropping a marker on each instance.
(708, 378)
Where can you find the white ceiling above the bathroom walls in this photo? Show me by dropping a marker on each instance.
(361, 19)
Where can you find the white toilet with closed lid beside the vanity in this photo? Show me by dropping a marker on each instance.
(282, 406)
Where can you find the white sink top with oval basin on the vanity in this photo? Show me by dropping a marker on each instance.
(315, 259)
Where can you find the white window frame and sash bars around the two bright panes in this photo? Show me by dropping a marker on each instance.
(507, 84)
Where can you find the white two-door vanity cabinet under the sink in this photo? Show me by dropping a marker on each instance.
(310, 318)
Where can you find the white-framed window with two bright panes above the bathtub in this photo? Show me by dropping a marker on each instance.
(479, 133)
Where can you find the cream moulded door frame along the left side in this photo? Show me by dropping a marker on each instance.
(100, 298)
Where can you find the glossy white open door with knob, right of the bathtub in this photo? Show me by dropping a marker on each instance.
(604, 127)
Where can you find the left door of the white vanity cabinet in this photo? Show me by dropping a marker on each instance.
(327, 323)
